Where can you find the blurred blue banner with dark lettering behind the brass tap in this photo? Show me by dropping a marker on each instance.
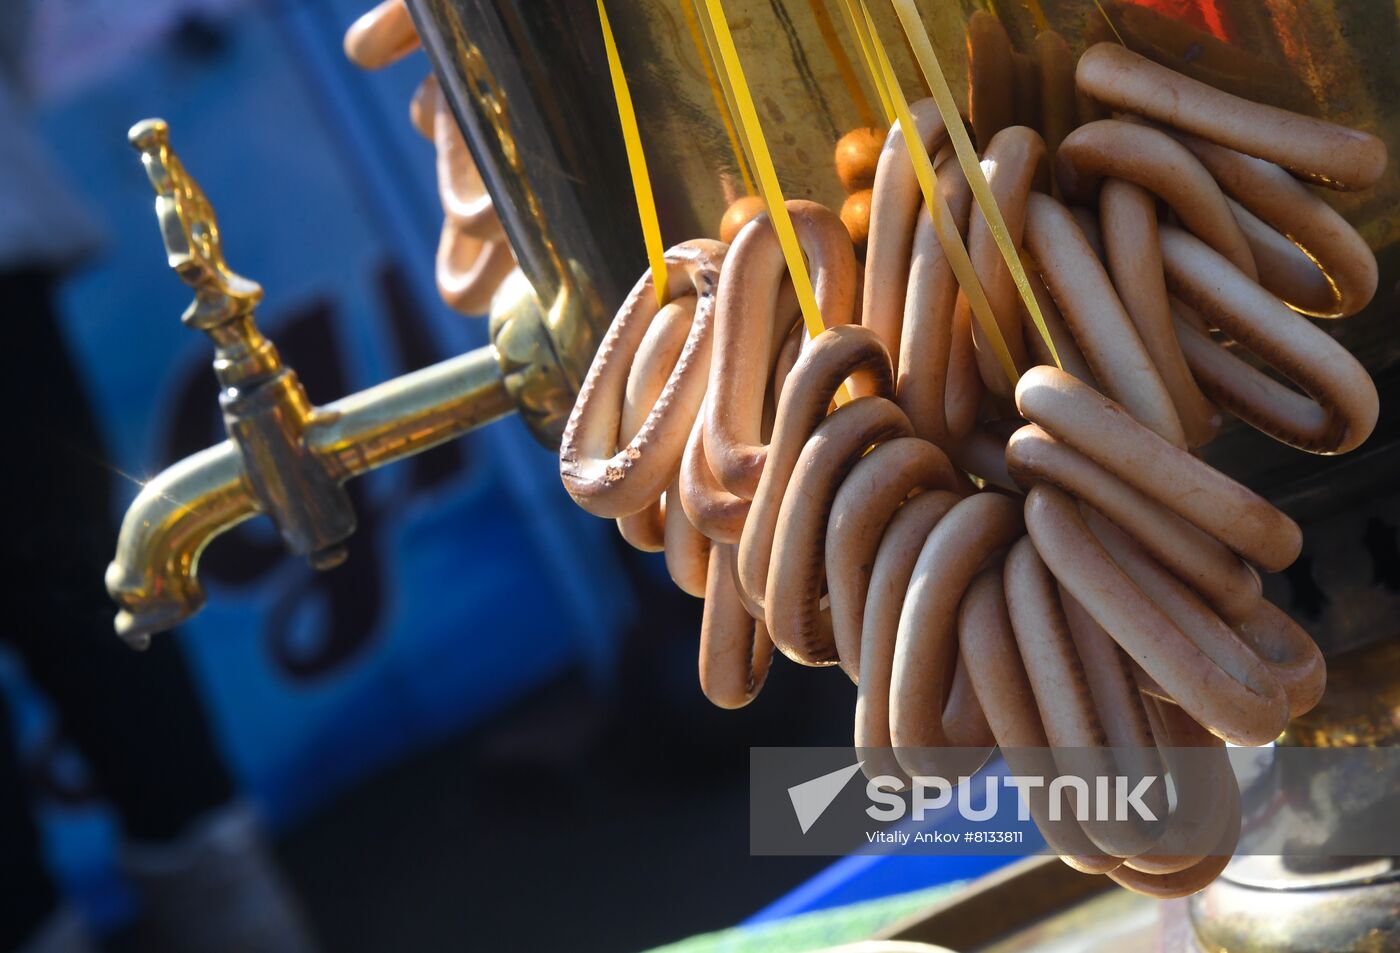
(465, 588)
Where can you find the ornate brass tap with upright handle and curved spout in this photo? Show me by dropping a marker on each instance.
(285, 457)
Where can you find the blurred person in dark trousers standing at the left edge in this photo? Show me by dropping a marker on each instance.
(195, 854)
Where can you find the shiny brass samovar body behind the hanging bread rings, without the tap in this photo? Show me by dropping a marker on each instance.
(530, 86)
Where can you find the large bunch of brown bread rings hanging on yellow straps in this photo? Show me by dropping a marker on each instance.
(1042, 565)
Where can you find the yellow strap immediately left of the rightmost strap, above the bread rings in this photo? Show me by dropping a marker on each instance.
(944, 226)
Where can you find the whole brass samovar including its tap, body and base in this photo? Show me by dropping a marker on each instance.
(528, 83)
